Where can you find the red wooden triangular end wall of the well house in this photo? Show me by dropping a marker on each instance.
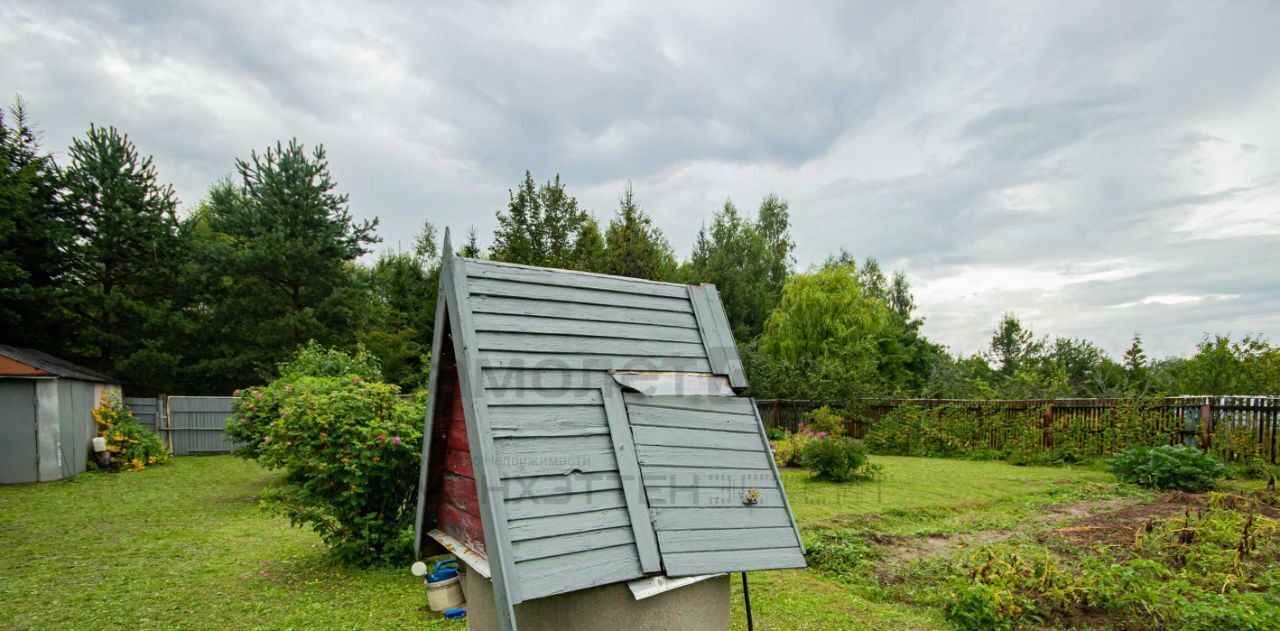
(452, 501)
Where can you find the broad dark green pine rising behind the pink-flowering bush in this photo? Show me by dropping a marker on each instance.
(282, 264)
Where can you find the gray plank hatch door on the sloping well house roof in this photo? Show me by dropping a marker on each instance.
(715, 496)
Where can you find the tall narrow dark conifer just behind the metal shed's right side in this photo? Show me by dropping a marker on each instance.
(121, 287)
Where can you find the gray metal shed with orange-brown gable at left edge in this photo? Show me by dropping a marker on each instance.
(47, 424)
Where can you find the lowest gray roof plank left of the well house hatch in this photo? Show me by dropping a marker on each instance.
(578, 571)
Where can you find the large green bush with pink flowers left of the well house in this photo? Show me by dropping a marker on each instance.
(349, 447)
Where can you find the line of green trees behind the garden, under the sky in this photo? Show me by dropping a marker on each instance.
(98, 266)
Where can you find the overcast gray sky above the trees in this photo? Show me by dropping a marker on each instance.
(1099, 170)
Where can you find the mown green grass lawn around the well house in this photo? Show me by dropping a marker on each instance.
(185, 546)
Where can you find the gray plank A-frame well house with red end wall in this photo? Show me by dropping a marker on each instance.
(584, 431)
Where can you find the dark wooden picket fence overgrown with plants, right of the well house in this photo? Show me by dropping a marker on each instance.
(1232, 428)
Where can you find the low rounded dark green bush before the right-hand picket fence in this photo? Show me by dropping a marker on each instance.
(1167, 468)
